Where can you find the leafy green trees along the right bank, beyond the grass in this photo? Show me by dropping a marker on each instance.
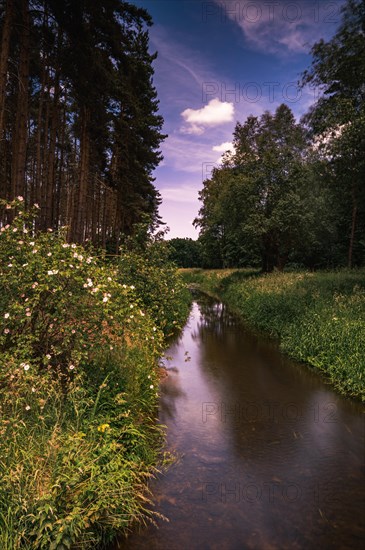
(294, 191)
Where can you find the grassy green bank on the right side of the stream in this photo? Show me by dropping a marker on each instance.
(319, 317)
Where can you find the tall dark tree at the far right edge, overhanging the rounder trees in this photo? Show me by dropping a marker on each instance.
(338, 118)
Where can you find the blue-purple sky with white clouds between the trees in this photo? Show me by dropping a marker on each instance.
(218, 62)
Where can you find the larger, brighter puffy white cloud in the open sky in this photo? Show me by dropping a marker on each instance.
(215, 113)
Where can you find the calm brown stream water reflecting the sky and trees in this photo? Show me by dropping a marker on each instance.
(271, 457)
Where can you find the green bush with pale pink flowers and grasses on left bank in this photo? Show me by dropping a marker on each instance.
(79, 349)
